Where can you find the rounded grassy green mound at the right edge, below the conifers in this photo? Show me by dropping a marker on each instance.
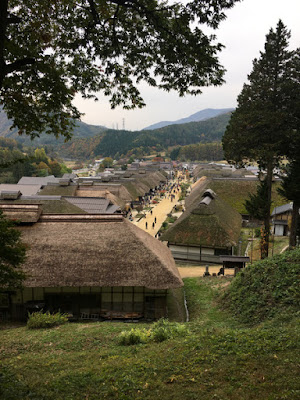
(268, 288)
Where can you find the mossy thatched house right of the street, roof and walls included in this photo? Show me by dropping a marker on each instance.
(208, 228)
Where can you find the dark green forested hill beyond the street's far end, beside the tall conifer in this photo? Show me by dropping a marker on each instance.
(121, 142)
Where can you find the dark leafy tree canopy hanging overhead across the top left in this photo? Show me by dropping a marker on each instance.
(50, 50)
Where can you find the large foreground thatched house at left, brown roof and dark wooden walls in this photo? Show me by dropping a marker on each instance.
(94, 266)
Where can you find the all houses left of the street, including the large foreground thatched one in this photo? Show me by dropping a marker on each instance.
(84, 257)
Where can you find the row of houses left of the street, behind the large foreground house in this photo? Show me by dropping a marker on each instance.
(112, 196)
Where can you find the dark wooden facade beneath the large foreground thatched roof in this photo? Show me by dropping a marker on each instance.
(95, 303)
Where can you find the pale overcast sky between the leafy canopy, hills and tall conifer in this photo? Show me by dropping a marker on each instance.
(243, 33)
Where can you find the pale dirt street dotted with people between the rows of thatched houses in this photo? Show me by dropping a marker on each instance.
(160, 212)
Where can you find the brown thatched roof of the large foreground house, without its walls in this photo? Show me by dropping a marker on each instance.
(95, 251)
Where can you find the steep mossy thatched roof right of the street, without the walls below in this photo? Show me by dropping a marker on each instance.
(208, 222)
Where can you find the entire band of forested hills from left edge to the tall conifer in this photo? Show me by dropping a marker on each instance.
(90, 141)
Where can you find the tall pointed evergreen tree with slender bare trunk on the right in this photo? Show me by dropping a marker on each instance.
(264, 122)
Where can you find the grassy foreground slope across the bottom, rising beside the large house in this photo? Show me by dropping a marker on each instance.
(221, 359)
